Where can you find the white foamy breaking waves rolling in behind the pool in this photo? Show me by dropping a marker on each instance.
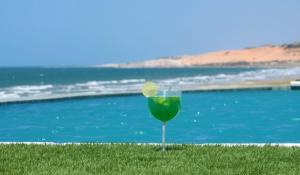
(25, 92)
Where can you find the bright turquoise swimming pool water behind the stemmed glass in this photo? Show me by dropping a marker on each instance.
(205, 117)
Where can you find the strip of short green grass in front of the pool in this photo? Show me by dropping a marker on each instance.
(147, 159)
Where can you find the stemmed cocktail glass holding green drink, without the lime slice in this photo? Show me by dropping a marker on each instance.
(164, 106)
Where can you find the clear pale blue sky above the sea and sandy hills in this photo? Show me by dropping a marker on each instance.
(92, 32)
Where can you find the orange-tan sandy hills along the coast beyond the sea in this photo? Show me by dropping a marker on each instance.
(268, 55)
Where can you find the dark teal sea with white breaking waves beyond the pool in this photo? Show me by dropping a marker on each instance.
(18, 84)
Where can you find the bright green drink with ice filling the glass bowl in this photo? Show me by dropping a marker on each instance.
(164, 108)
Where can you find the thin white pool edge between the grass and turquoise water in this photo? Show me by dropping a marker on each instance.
(201, 144)
